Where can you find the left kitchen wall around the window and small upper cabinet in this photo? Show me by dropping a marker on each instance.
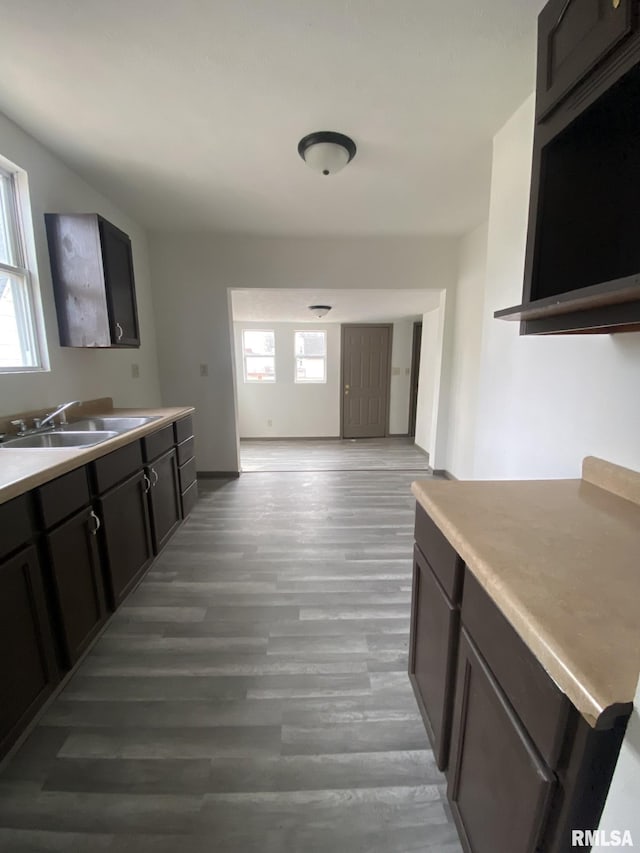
(77, 373)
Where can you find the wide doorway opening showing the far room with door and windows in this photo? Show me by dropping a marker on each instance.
(294, 410)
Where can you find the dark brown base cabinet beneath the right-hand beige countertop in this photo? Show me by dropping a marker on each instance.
(524, 768)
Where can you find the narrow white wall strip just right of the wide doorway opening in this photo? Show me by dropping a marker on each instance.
(465, 368)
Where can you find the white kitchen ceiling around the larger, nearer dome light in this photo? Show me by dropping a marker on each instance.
(188, 113)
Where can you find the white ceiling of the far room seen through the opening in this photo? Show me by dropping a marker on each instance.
(266, 305)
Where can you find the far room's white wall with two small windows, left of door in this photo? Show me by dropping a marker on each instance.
(294, 409)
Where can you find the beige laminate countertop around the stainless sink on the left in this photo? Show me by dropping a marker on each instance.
(26, 468)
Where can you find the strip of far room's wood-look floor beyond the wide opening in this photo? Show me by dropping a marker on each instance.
(368, 454)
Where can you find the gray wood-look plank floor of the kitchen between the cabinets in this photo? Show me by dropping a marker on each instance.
(251, 694)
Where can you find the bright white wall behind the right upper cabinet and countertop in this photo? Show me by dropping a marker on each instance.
(545, 402)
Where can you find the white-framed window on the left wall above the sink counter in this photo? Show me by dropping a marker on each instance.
(18, 333)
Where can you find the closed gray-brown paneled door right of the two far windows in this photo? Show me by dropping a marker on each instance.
(366, 352)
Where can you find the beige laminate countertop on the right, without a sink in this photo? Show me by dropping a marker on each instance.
(561, 560)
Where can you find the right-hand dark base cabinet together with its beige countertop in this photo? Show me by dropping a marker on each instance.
(547, 653)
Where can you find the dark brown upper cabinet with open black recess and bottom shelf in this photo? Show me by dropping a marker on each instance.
(582, 266)
